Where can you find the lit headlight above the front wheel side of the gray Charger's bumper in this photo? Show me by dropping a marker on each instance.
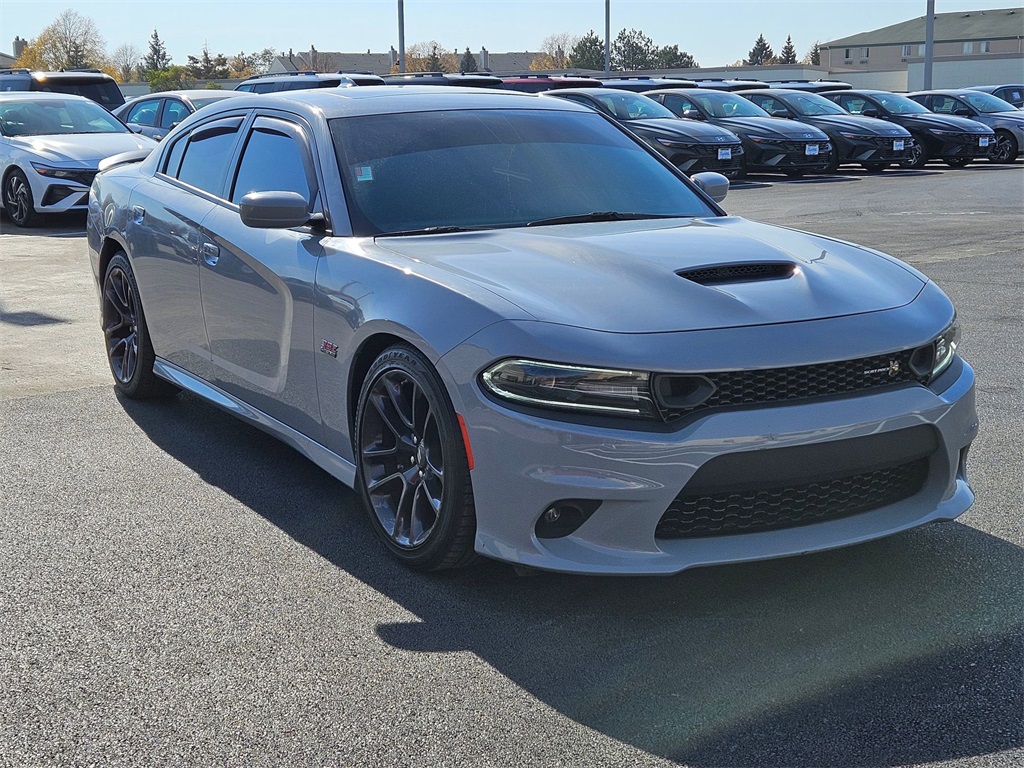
(589, 391)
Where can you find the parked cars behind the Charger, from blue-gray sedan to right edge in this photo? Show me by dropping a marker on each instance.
(733, 126)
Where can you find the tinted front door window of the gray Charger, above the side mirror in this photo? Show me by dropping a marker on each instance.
(273, 160)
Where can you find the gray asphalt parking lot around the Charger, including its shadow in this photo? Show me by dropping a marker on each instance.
(178, 588)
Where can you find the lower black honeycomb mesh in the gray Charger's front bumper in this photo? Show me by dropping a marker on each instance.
(693, 517)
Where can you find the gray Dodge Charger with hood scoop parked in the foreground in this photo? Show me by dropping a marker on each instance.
(521, 334)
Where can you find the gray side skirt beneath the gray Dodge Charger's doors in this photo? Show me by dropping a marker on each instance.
(322, 457)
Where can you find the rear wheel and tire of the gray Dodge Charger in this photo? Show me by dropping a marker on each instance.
(130, 352)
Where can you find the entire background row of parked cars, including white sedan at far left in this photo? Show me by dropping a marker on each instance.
(730, 126)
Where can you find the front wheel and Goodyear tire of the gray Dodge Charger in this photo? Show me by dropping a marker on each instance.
(412, 468)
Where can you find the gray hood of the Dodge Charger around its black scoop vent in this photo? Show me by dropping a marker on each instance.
(623, 277)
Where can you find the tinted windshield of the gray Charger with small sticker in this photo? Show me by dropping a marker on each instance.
(499, 168)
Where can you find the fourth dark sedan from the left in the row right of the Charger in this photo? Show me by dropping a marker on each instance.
(954, 141)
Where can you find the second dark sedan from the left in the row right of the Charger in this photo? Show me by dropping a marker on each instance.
(770, 144)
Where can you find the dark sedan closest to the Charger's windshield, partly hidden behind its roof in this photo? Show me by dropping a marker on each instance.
(689, 146)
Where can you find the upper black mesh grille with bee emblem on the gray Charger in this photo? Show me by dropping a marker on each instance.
(735, 389)
